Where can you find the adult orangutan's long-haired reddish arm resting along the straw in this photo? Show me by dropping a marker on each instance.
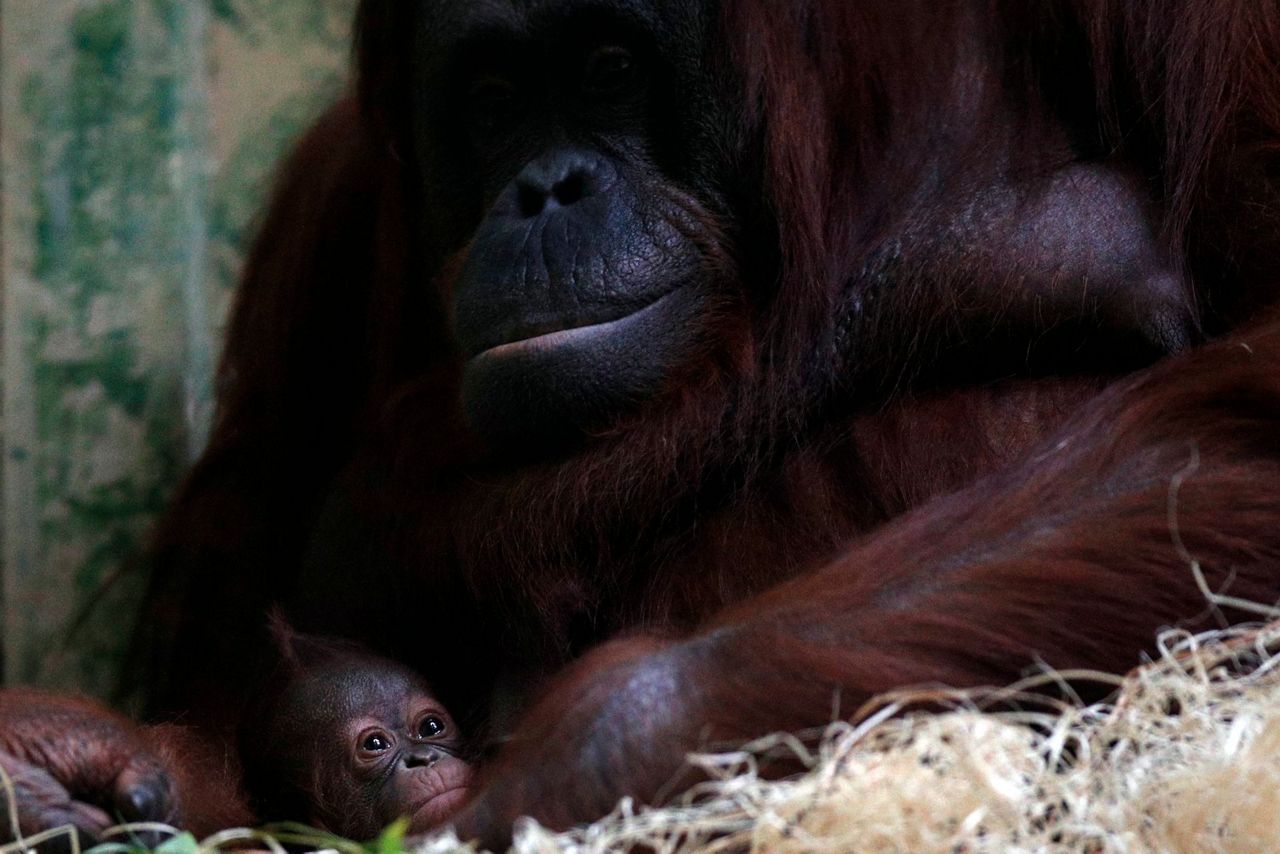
(1071, 558)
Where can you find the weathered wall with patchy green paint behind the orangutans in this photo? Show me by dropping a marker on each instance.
(138, 140)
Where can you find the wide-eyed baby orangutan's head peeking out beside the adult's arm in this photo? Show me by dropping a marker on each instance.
(349, 742)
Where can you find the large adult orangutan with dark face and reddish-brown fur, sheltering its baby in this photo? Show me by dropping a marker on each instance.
(650, 373)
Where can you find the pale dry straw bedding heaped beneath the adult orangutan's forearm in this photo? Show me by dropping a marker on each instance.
(1186, 759)
